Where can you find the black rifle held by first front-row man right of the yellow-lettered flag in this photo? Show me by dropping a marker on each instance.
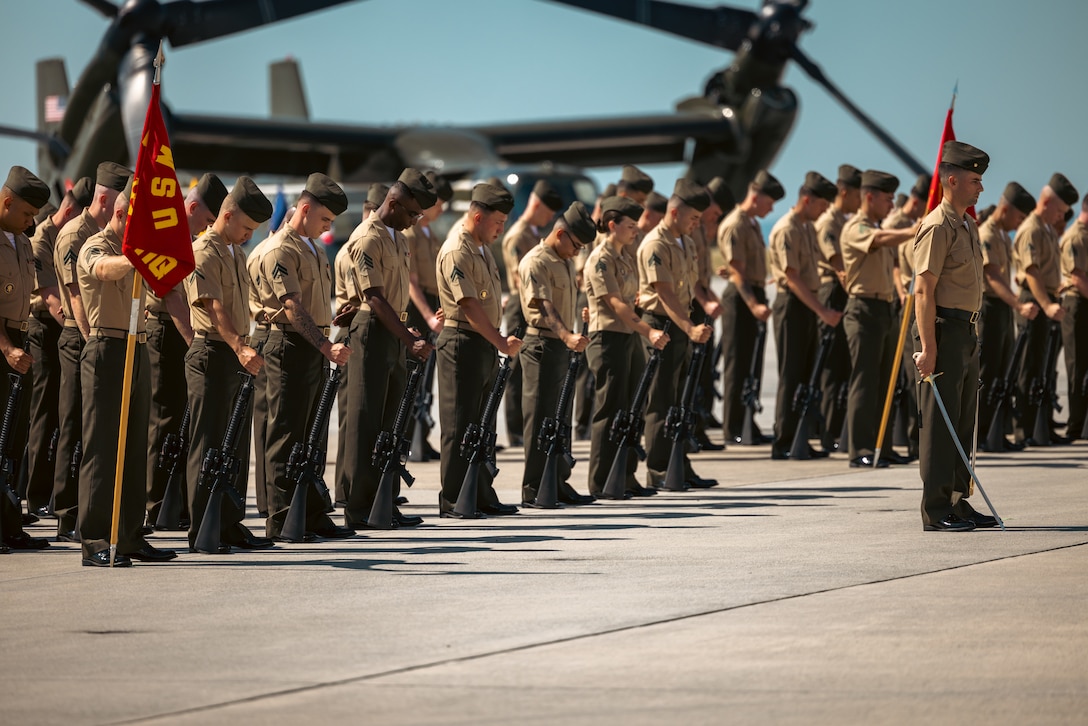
(220, 467)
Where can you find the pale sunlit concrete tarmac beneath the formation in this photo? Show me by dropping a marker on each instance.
(796, 593)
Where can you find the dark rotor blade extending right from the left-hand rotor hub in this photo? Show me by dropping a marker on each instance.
(187, 22)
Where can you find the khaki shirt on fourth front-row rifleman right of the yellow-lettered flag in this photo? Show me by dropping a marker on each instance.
(464, 270)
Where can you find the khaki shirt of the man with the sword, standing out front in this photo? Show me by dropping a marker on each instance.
(948, 247)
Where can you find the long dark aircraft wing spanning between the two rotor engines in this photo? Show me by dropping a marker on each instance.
(355, 153)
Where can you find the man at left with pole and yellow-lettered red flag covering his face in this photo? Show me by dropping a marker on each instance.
(147, 233)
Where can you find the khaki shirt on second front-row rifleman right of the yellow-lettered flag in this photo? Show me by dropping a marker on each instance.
(289, 267)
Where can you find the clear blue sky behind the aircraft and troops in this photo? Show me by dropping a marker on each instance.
(1020, 66)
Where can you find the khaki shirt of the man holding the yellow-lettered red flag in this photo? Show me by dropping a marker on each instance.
(108, 303)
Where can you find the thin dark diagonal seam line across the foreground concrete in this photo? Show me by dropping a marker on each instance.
(568, 639)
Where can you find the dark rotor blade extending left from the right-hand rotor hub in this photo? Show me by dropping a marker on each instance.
(723, 27)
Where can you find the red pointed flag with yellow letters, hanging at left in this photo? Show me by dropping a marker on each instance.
(157, 237)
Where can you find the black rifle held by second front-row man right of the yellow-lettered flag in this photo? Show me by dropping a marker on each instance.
(306, 466)
